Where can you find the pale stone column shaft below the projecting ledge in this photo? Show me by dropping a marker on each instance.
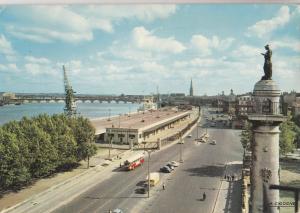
(265, 165)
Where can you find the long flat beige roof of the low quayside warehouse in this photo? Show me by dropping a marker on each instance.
(151, 119)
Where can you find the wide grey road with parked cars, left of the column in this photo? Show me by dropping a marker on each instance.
(202, 171)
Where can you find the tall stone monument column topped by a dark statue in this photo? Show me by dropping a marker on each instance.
(265, 120)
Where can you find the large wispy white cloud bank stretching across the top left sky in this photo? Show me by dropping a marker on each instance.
(45, 24)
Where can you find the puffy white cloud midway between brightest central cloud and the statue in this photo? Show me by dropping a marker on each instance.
(206, 45)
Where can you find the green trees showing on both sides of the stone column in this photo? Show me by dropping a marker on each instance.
(288, 139)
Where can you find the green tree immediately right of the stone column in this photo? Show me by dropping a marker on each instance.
(287, 136)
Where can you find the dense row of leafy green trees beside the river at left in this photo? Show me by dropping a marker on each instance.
(40, 146)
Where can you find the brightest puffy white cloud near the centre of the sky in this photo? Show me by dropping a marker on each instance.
(145, 39)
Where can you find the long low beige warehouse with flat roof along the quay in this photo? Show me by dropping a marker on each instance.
(136, 128)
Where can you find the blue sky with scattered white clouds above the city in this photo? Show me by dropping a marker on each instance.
(137, 49)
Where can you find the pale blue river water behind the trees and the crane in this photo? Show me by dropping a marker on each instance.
(89, 110)
